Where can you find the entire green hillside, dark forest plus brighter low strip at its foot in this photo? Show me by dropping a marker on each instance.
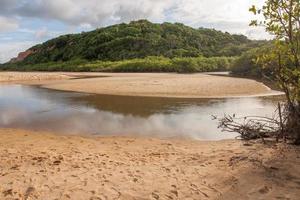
(138, 46)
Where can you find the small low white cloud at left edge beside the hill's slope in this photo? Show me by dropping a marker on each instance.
(11, 49)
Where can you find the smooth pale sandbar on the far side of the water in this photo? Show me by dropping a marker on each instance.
(143, 84)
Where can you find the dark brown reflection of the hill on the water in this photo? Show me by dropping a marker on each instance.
(141, 106)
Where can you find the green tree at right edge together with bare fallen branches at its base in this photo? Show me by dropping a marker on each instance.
(281, 18)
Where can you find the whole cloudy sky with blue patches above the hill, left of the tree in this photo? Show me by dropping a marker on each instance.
(24, 23)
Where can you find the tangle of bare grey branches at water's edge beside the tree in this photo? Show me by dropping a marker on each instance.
(255, 127)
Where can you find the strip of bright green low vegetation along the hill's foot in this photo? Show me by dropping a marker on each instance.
(148, 64)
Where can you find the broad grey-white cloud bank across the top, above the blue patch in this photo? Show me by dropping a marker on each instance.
(231, 16)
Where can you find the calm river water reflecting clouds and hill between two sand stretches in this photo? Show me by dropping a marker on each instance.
(35, 108)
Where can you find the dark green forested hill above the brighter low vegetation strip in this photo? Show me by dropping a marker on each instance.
(138, 39)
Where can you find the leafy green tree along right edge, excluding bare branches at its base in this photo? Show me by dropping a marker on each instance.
(282, 19)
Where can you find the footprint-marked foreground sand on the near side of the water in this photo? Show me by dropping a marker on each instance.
(48, 166)
